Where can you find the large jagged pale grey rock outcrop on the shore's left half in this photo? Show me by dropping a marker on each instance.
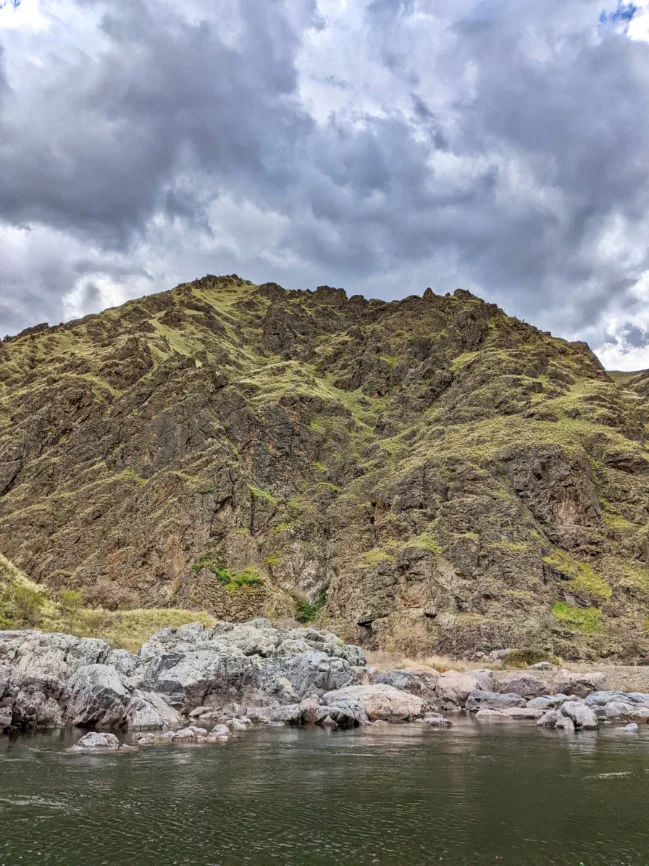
(174, 674)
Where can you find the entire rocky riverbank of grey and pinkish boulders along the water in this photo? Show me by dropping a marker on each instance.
(206, 684)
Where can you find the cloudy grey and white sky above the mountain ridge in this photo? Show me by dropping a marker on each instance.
(379, 145)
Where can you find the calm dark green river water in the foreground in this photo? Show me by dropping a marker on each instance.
(398, 795)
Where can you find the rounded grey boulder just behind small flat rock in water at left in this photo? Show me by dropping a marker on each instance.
(95, 697)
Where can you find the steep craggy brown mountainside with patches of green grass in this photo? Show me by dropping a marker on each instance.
(423, 474)
